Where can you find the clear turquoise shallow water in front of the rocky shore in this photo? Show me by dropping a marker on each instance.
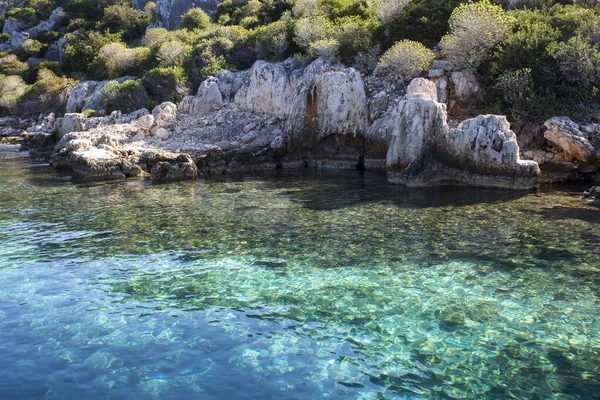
(296, 286)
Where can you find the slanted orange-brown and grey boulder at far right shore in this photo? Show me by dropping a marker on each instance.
(565, 133)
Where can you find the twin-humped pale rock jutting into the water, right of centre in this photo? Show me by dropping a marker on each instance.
(482, 152)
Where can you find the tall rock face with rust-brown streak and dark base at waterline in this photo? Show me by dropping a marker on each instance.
(327, 119)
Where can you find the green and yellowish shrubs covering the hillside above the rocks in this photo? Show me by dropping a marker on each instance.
(540, 58)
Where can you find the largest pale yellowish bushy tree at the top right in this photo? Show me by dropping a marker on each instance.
(474, 29)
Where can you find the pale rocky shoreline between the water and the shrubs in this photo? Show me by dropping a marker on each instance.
(277, 115)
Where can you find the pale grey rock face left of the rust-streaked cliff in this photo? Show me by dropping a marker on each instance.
(267, 89)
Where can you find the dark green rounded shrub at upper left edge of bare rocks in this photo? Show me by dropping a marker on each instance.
(165, 84)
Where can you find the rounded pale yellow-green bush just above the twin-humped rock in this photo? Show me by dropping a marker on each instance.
(405, 60)
